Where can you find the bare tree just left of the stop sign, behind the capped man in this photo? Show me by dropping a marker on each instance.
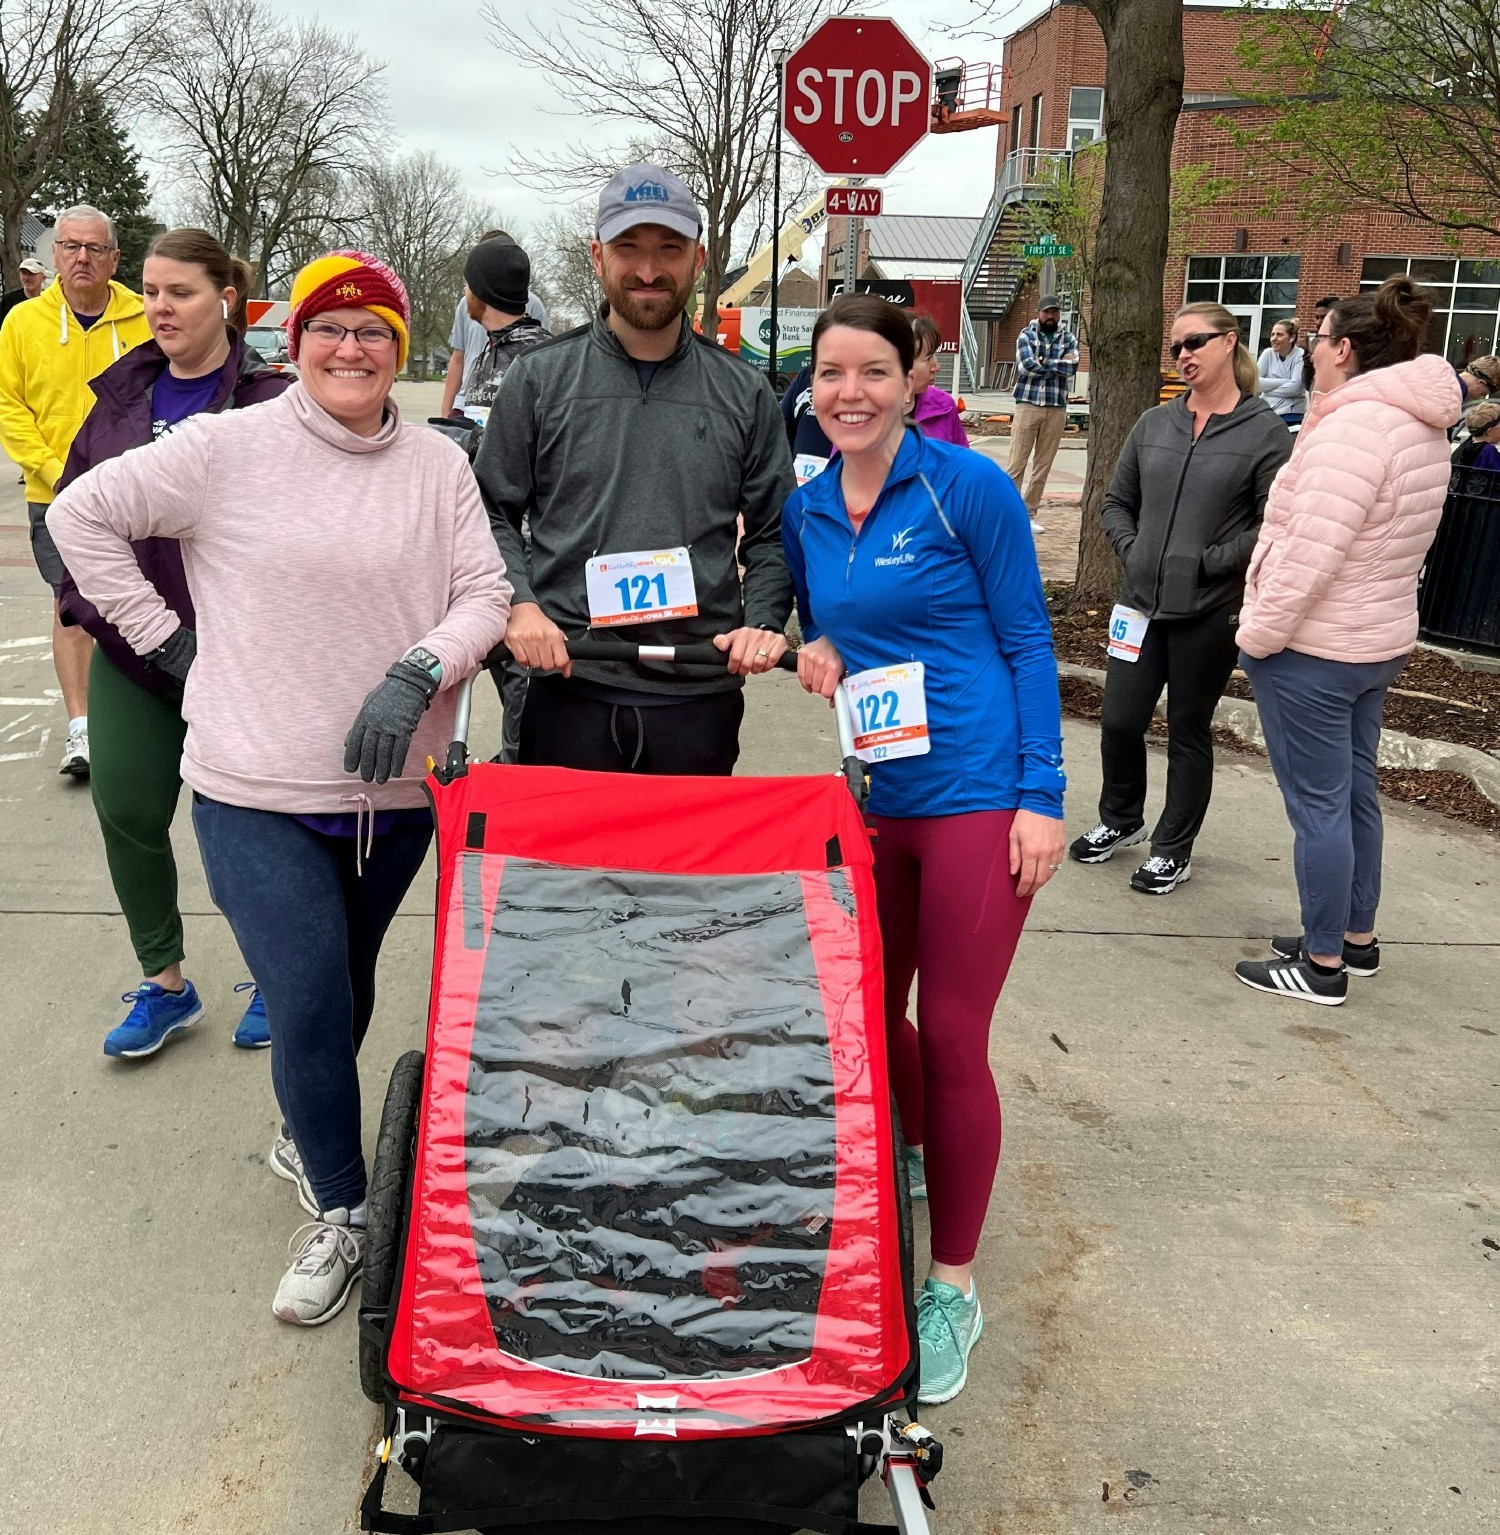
(695, 79)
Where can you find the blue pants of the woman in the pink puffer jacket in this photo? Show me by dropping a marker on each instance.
(1323, 728)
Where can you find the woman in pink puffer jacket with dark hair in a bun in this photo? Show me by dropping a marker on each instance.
(1330, 615)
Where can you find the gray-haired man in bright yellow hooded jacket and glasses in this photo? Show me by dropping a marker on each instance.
(50, 349)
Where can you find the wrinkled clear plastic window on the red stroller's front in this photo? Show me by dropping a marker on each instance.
(650, 1123)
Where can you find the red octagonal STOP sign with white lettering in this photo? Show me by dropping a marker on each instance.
(859, 96)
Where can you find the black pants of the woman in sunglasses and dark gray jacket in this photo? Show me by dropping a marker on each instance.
(1192, 659)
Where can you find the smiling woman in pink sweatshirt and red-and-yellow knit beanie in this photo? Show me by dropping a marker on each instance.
(345, 581)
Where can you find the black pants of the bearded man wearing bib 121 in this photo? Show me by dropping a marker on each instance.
(567, 728)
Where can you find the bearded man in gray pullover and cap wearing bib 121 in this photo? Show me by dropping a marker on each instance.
(652, 467)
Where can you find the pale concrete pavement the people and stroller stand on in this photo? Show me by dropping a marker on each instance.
(1235, 1270)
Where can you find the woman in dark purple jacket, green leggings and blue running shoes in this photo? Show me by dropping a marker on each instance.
(196, 361)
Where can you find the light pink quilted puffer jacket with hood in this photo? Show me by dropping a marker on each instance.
(1350, 520)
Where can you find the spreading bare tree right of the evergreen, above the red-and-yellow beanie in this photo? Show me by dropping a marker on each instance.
(263, 120)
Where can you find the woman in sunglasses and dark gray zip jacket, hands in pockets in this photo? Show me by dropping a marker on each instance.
(1183, 513)
